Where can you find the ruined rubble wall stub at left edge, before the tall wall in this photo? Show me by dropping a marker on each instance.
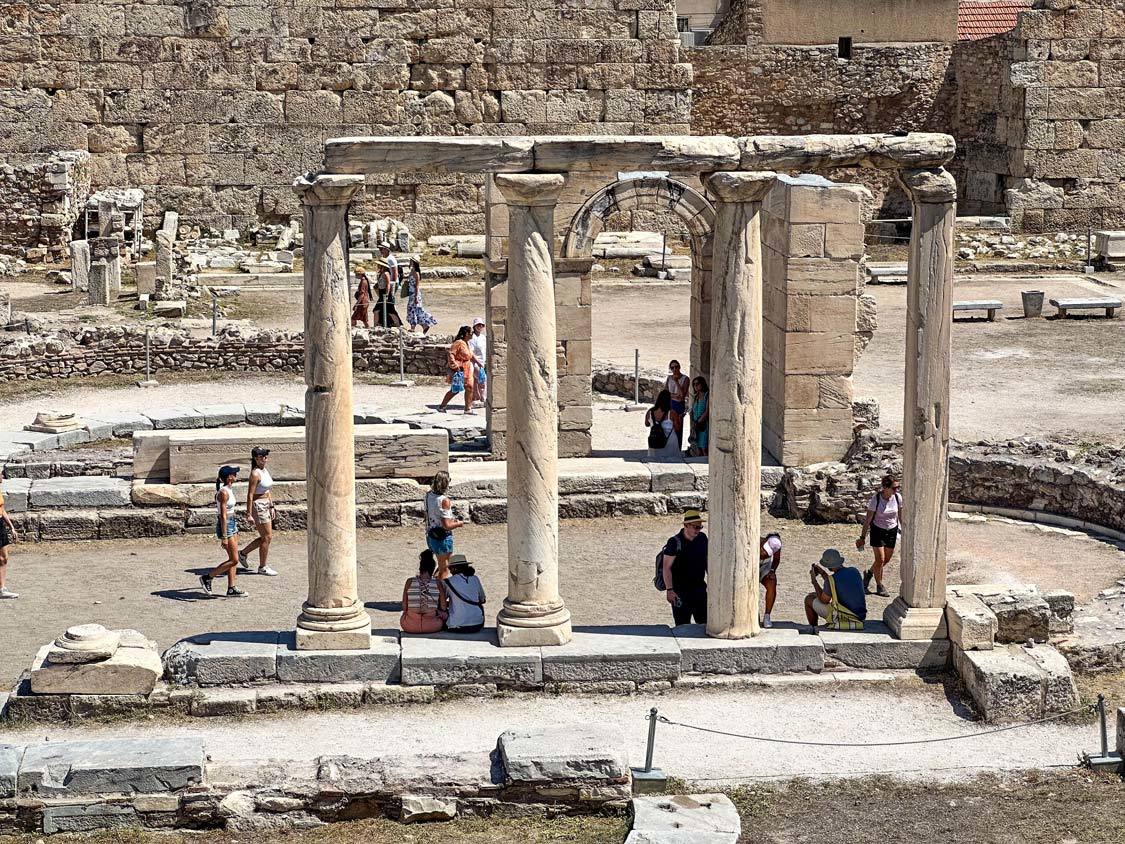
(41, 199)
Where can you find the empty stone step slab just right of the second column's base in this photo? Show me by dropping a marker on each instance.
(637, 653)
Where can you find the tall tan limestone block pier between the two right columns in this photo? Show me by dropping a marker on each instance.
(812, 248)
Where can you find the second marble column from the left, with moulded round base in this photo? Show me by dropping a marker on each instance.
(534, 614)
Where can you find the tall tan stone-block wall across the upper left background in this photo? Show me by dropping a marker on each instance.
(215, 106)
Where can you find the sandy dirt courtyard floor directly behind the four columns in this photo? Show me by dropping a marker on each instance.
(152, 586)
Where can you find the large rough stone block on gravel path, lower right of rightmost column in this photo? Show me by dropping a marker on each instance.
(1015, 684)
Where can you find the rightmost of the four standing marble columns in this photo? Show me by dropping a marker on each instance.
(919, 612)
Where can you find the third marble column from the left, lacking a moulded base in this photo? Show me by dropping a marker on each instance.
(735, 454)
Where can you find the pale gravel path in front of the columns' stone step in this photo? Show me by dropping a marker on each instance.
(825, 712)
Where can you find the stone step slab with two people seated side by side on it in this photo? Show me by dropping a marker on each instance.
(452, 659)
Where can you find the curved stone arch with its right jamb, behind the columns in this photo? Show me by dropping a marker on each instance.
(658, 193)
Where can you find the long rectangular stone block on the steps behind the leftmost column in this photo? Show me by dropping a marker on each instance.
(194, 456)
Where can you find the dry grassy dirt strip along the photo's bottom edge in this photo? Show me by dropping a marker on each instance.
(1070, 807)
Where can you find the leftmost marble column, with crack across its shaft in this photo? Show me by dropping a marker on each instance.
(334, 617)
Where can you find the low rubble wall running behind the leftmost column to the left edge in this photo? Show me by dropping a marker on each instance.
(118, 351)
